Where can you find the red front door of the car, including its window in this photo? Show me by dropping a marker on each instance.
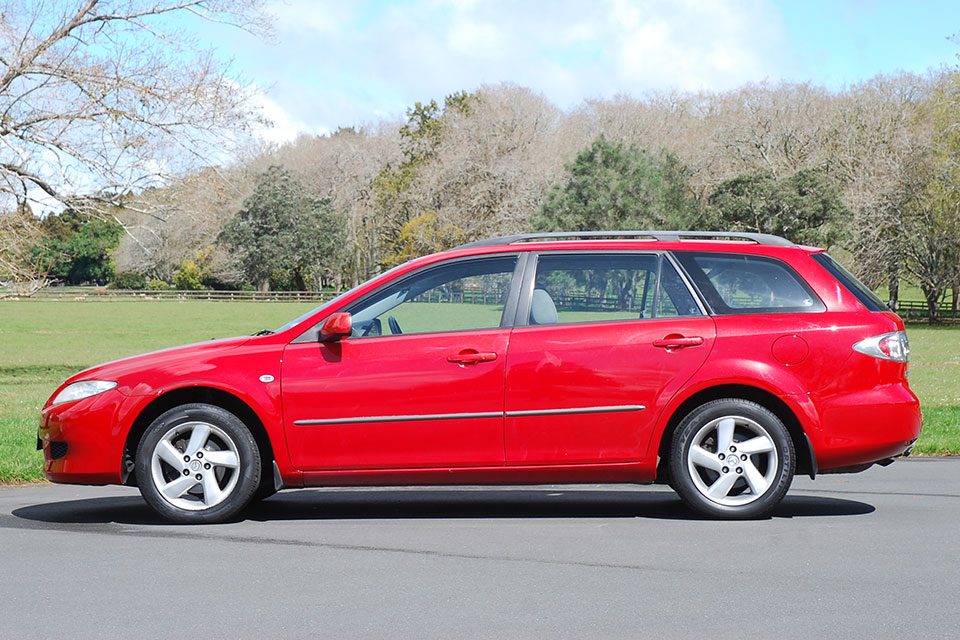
(419, 384)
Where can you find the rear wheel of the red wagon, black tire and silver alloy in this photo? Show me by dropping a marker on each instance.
(701, 471)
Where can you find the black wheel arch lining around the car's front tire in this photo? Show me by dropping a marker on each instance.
(187, 395)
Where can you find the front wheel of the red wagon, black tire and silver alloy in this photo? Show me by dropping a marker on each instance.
(198, 464)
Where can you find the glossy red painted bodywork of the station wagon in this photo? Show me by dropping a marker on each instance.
(855, 409)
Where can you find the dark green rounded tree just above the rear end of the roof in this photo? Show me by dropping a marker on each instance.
(805, 207)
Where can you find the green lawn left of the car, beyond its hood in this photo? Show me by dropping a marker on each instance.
(42, 343)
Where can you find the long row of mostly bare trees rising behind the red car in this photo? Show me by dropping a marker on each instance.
(870, 172)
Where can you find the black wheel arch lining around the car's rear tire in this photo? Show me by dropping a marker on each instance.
(806, 459)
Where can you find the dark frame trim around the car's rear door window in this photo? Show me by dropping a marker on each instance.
(530, 277)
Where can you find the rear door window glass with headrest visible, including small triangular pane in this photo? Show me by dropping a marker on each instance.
(571, 288)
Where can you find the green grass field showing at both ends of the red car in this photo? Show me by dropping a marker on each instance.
(42, 343)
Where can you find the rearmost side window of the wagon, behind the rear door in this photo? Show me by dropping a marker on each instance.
(735, 283)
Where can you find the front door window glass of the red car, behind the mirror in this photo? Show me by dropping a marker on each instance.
(460, 296)
